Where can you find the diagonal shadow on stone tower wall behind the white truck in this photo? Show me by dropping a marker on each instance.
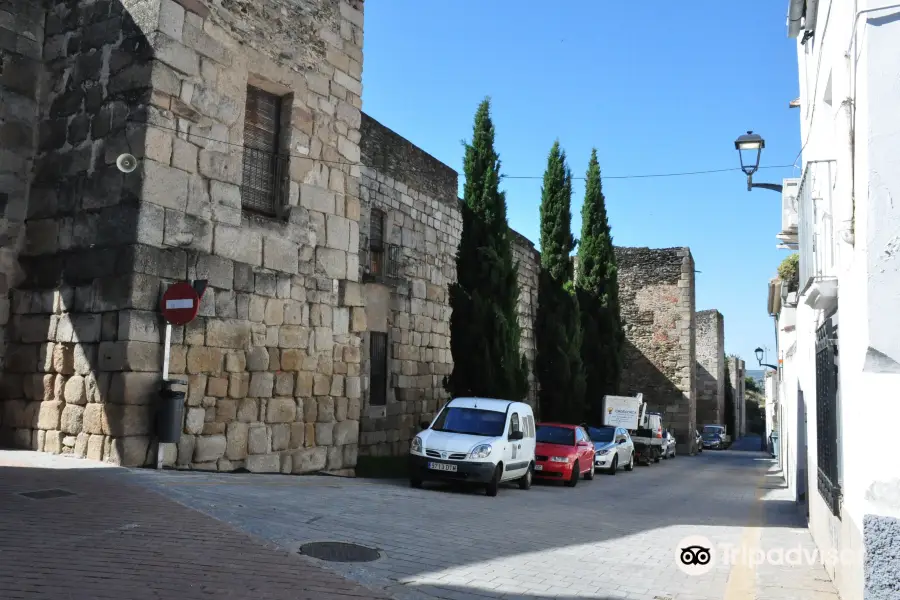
(640, 375)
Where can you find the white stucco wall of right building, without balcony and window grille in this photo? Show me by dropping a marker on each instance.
(855, 59)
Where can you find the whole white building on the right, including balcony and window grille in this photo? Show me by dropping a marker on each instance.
(840, 370)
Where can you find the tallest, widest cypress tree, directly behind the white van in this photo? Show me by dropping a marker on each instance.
(484, 326)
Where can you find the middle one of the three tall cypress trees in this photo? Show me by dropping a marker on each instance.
(557, 328)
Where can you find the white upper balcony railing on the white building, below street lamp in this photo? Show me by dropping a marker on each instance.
(817, 240)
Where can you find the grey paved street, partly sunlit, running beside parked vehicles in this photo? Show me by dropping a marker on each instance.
(611, 538)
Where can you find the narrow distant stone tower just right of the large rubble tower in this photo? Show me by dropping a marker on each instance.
(710, 367)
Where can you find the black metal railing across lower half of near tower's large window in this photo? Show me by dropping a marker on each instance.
(265, 181)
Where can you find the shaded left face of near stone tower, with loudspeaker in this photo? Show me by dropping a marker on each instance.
(83, 357)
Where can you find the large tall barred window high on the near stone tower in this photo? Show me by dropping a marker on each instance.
(264, 169)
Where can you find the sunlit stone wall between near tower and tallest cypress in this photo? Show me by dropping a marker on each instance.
(418, 196)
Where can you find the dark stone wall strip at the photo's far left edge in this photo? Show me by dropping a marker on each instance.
(21, 53)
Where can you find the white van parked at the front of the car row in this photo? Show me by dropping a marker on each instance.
(478, 440)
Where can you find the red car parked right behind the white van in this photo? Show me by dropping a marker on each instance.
(563, 452)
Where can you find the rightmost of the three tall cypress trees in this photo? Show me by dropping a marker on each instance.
(598, 297)
